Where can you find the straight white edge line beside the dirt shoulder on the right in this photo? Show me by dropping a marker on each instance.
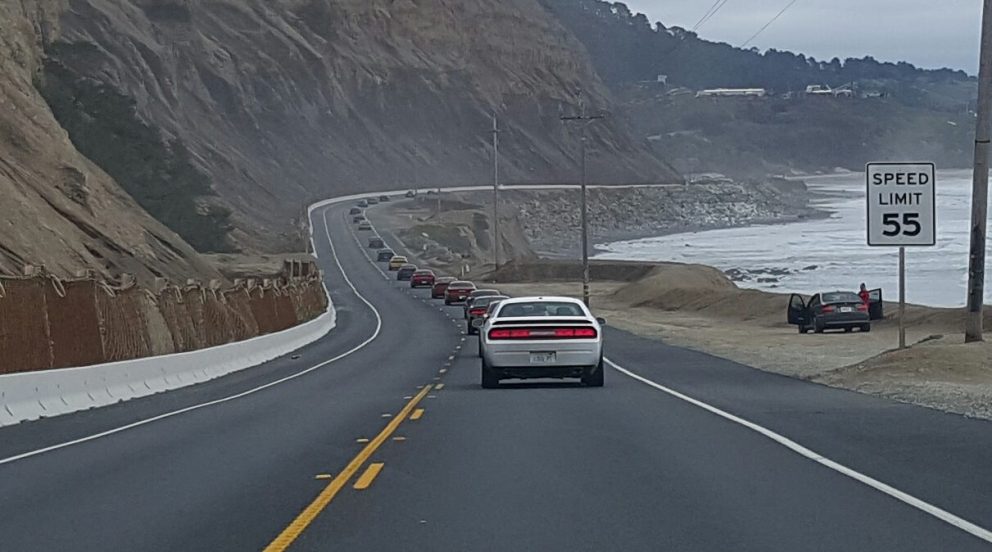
(901, 496)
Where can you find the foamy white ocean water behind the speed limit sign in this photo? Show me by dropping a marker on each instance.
(835, 246)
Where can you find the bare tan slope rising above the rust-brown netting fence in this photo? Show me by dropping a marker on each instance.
(56, 207)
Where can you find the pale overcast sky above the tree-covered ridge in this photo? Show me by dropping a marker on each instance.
(927, 33)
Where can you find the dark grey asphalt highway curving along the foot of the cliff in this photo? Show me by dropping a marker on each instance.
(537, 466)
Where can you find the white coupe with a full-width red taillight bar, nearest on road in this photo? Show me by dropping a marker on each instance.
(542, 337)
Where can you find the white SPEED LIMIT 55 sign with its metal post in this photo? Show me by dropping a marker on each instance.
(902, 212)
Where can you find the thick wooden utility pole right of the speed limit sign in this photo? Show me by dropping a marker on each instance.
(980, 185)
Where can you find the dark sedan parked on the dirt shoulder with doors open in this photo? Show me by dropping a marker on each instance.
(830, 310)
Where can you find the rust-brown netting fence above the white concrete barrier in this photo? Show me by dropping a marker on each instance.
(49, 323)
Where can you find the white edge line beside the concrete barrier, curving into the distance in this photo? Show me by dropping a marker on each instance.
(252, 391)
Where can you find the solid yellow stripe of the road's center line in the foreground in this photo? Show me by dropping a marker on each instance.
(310, 513)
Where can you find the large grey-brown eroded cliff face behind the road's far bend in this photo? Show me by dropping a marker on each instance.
(284, 101)
